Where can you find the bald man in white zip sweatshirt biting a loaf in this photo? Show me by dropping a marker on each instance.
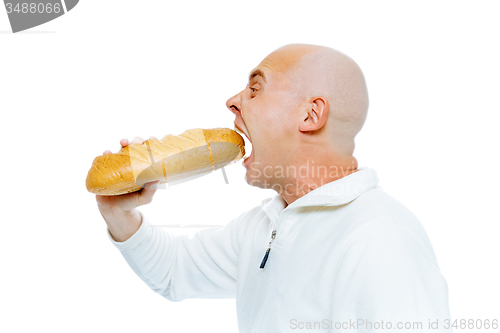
(331, 251)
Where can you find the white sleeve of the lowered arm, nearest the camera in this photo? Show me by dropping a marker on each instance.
(389, 281)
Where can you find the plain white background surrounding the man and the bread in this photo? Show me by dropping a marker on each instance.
(73, 87)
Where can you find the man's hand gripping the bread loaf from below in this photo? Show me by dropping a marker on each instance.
(119, 211)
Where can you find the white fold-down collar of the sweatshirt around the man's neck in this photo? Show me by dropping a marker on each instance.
(338, 192)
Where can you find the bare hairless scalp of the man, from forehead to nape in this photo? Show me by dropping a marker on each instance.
(317, 71)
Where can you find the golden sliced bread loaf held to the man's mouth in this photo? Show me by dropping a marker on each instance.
(172, 159)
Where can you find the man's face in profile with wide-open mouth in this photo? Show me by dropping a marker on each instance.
(264, 111)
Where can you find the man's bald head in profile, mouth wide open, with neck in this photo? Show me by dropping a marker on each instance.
(304, 104)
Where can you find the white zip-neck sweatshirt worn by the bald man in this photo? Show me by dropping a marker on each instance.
(346, 257)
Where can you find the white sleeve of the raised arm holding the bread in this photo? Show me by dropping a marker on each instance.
(180, 266)
